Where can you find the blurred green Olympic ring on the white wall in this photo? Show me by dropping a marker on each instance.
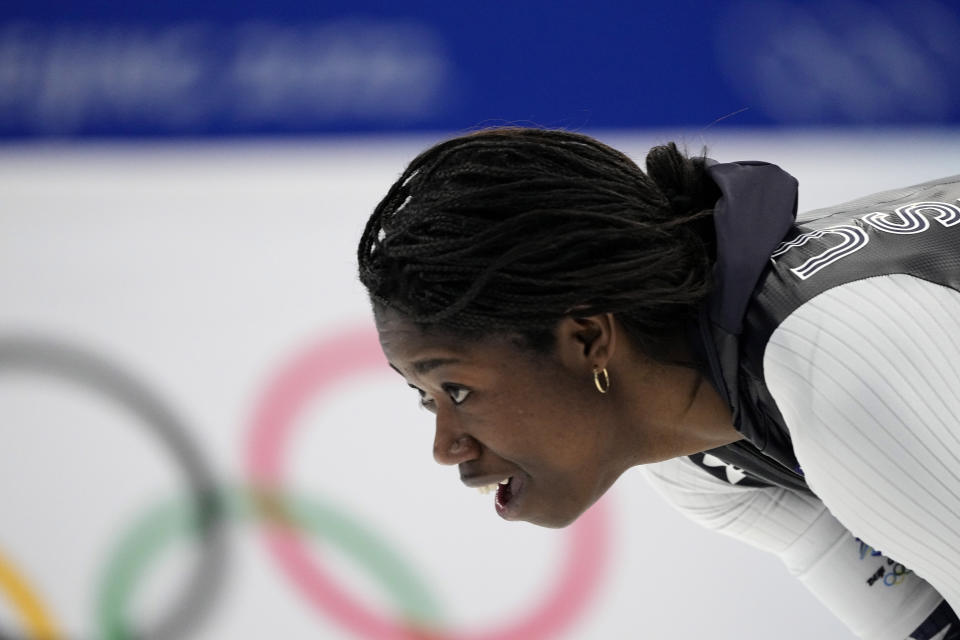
(160, 525)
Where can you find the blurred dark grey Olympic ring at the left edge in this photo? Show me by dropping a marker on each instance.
(72, 364)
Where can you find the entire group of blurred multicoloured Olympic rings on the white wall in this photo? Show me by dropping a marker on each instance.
(204, 512)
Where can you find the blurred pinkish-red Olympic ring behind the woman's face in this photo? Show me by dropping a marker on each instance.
(331, 361)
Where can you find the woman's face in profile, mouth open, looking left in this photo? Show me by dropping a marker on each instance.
(532, 425)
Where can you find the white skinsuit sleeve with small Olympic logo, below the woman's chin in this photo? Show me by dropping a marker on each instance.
(875, 597)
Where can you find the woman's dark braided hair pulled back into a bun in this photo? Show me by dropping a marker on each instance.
(509, 230)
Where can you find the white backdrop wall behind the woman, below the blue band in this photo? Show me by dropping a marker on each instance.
(207, 271)
